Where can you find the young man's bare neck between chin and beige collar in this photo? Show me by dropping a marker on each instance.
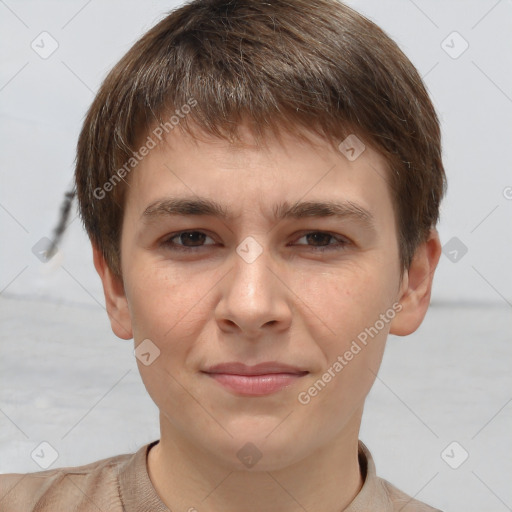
(187, 478)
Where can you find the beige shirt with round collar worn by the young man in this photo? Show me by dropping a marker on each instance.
(122, 483)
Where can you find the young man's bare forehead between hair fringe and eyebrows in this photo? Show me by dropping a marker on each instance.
(266, 177)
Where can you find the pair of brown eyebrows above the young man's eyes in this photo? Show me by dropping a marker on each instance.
(202, 206)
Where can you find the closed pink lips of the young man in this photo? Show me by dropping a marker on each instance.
(258, 380)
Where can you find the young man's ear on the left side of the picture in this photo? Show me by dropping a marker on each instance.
(115, 298)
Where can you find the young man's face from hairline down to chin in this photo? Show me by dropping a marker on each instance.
(266, 323)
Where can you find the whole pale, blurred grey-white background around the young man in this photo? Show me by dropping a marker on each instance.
(438, 419)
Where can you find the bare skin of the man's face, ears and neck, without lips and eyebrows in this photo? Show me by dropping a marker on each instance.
(293, 304)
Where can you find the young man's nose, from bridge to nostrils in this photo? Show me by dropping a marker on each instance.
(255, 299)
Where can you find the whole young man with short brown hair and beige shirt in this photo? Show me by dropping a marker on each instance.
(260, 182)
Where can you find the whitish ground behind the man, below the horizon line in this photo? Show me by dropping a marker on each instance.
(67, 380)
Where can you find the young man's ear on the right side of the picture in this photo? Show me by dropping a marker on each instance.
(416, 286)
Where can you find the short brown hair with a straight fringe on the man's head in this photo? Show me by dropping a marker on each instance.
(280, 64)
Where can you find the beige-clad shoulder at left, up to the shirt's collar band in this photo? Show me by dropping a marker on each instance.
(92, 486)
